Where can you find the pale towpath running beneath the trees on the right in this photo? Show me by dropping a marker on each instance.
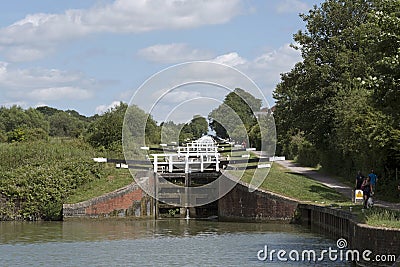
(332, 183)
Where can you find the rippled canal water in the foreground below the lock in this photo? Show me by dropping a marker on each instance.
(173, 242)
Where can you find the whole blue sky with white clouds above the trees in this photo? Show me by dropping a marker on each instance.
(90, 55)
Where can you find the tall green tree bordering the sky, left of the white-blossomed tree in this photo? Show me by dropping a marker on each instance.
(332, 55)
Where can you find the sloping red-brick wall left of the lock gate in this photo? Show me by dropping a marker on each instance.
(127, 201)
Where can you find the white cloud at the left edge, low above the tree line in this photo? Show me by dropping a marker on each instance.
(43, 84)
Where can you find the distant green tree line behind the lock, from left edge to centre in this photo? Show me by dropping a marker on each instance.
(105, 131)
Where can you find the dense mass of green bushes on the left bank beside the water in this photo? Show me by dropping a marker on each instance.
(36, 177)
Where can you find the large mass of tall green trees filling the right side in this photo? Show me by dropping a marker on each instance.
(340, 106)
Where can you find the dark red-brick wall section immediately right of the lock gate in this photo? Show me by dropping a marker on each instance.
(260, 205)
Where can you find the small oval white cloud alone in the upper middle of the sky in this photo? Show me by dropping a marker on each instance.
(173, 53)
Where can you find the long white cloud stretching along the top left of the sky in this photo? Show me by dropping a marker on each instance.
(37, 34)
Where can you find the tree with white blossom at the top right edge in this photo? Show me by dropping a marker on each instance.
(382, 34)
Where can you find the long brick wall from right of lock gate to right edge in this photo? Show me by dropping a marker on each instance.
(334, 223)
